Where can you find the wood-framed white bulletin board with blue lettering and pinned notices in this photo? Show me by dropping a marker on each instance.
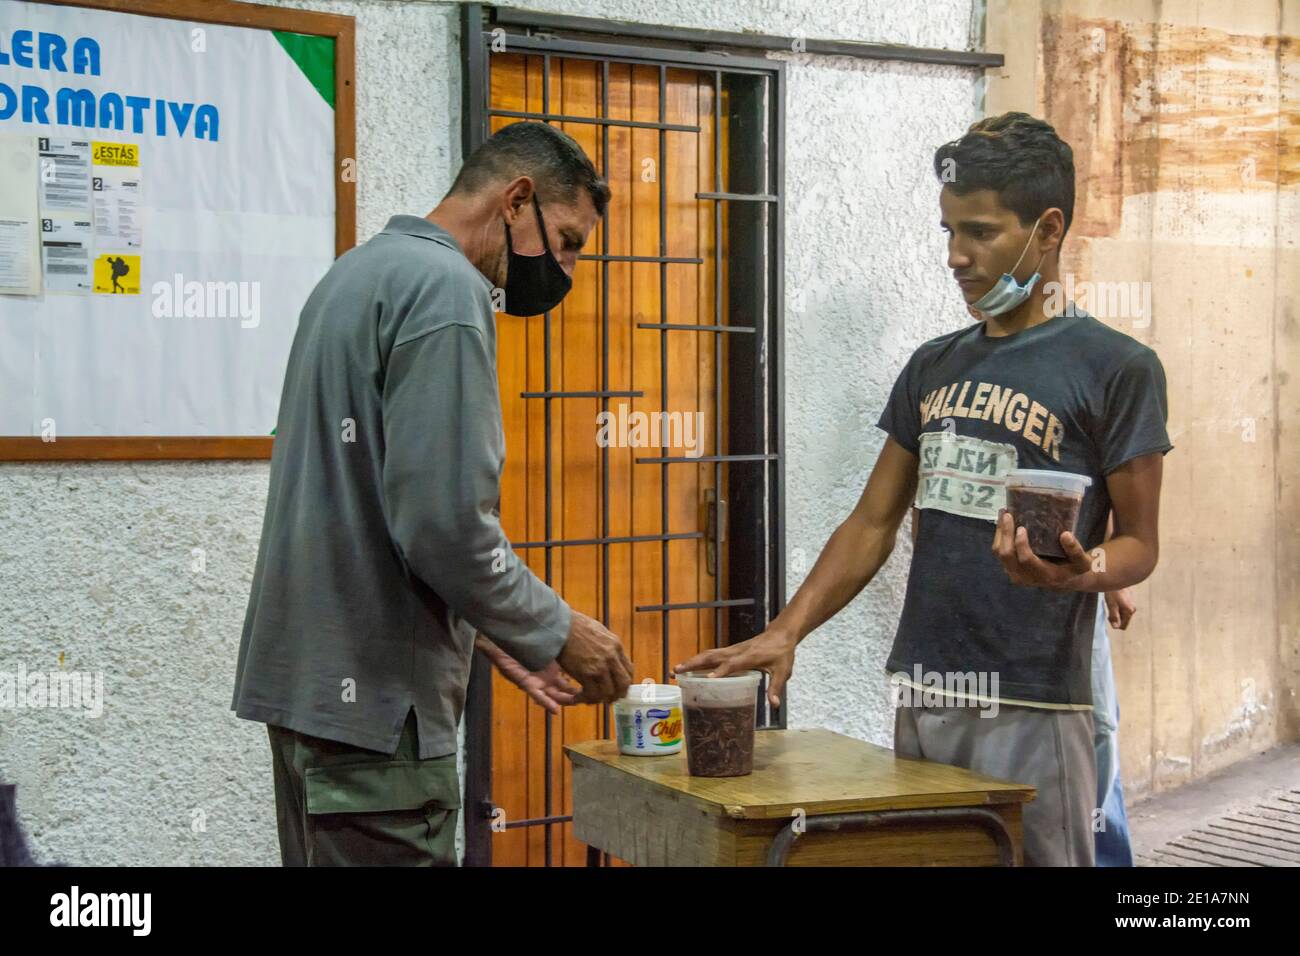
(176, 176)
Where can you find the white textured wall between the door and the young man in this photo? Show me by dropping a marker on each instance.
(864, 241)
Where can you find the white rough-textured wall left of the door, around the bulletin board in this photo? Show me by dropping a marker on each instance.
(96, 559)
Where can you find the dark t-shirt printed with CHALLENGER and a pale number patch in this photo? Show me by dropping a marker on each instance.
(1071, 395)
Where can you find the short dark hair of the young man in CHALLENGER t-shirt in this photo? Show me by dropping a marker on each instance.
(1019, 157)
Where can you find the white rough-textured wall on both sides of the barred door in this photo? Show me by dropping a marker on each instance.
(97, 560)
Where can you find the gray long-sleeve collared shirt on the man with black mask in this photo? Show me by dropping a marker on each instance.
(382, 550)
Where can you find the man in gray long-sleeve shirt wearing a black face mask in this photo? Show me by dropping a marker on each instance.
(383, 551)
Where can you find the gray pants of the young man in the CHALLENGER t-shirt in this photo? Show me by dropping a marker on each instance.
(1048, 750)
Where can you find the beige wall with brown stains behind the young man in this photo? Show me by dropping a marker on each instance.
(1184, 120)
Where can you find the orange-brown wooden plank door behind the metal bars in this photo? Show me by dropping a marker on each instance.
(560, 485)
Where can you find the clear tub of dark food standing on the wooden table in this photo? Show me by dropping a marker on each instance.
(720, 723)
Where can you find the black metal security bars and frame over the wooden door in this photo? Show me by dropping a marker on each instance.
(744, 535)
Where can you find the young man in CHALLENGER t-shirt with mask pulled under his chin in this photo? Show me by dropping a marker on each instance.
(1003, 634)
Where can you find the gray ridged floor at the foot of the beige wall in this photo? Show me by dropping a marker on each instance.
(1245, 816)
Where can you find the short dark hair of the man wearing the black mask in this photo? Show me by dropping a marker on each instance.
(551, 157)
